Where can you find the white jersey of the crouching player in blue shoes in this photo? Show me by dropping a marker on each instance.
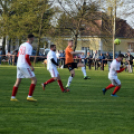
(115, 66)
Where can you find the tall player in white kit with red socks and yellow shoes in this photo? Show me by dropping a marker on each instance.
(25, 69)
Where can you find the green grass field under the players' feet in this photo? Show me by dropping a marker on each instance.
(82, 111)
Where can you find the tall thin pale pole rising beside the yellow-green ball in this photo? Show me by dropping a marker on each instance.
(114, 28)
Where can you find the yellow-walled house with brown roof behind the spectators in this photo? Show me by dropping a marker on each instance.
(98, 36)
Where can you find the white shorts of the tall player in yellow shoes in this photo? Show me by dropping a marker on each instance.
(25, 73)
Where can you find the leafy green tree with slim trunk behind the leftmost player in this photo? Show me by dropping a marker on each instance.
(34, 17)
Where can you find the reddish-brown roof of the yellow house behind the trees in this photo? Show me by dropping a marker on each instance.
(99, 24)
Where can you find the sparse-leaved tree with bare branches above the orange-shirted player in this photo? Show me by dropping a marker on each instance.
(76, 18)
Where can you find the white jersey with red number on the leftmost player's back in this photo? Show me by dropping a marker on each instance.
(25, 49)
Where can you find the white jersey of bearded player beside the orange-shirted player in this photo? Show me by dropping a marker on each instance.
(51, 55)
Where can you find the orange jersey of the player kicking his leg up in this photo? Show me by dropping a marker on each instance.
(69, 56)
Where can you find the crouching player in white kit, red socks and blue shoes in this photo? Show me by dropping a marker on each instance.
(114, 69)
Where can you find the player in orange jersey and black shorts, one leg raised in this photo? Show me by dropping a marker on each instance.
(69, 61)
